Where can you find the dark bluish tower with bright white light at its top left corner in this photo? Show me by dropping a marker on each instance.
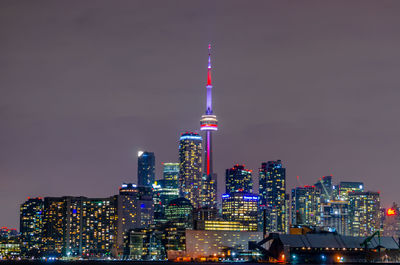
(146, 168)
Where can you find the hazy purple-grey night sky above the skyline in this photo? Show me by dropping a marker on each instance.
(86, 84)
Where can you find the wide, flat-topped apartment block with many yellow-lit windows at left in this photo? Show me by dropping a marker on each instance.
(77, 226)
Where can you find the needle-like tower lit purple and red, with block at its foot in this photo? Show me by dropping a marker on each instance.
(209, 124)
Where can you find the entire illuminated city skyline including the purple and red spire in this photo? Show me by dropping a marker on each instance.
(178, 217)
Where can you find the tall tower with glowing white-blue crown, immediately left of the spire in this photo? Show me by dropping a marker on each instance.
(190, 177)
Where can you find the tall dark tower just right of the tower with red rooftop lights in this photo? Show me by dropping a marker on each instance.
(272, 190)
